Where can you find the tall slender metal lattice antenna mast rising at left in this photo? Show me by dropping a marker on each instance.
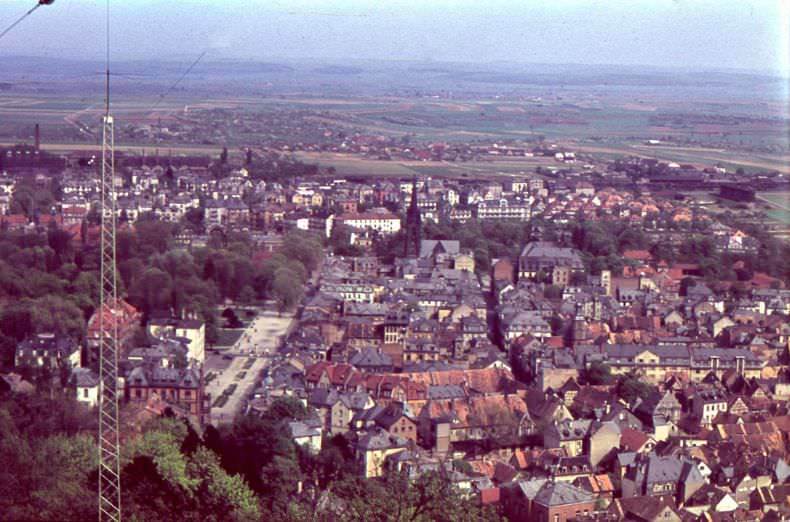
(109, 444)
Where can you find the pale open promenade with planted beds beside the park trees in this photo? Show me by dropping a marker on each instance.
(258, 343)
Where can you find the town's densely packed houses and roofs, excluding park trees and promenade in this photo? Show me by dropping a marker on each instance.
(556, 378)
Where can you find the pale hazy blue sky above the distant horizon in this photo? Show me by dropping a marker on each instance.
(750, 34)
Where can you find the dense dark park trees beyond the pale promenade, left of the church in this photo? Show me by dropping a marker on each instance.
(49, 279)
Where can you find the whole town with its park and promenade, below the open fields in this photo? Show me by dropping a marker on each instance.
(567, 344)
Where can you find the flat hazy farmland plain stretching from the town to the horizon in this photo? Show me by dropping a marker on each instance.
(736, 121)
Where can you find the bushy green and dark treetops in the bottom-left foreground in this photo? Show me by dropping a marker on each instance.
(249, 471)
